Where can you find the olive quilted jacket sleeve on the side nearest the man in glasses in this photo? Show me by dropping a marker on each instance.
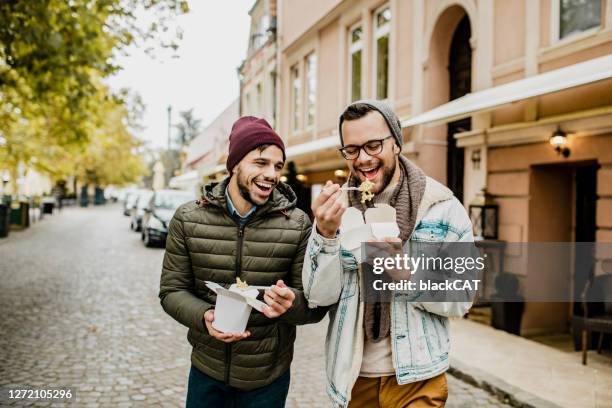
(300, 313)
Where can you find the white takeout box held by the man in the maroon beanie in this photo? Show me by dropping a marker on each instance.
(233, 307)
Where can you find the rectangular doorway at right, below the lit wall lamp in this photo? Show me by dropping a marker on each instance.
(562, 208)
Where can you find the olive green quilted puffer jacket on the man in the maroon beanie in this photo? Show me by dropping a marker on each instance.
(205, 243)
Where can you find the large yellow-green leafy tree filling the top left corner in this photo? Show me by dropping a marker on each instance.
(53, 56)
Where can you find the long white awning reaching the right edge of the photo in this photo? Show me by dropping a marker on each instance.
(583, 73)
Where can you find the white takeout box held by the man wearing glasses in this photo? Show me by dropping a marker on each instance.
(380, 222)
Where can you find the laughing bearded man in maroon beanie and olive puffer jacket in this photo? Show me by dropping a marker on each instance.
(246, 227)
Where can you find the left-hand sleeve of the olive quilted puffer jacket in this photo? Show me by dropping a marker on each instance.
(177, 280)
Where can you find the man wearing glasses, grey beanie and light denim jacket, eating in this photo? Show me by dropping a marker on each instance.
(381, 354)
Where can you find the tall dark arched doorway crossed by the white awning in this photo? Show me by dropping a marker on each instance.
(460, 77)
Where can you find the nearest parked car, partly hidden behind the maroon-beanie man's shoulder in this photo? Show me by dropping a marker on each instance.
(158, 214)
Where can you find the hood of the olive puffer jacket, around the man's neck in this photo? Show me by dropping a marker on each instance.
(282, 198)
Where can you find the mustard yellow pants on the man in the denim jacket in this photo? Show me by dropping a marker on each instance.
(384, 392)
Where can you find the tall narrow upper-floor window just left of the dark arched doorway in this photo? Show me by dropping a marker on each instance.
(382, 22)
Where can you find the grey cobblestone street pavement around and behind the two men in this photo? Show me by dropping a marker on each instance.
(79, 310)
